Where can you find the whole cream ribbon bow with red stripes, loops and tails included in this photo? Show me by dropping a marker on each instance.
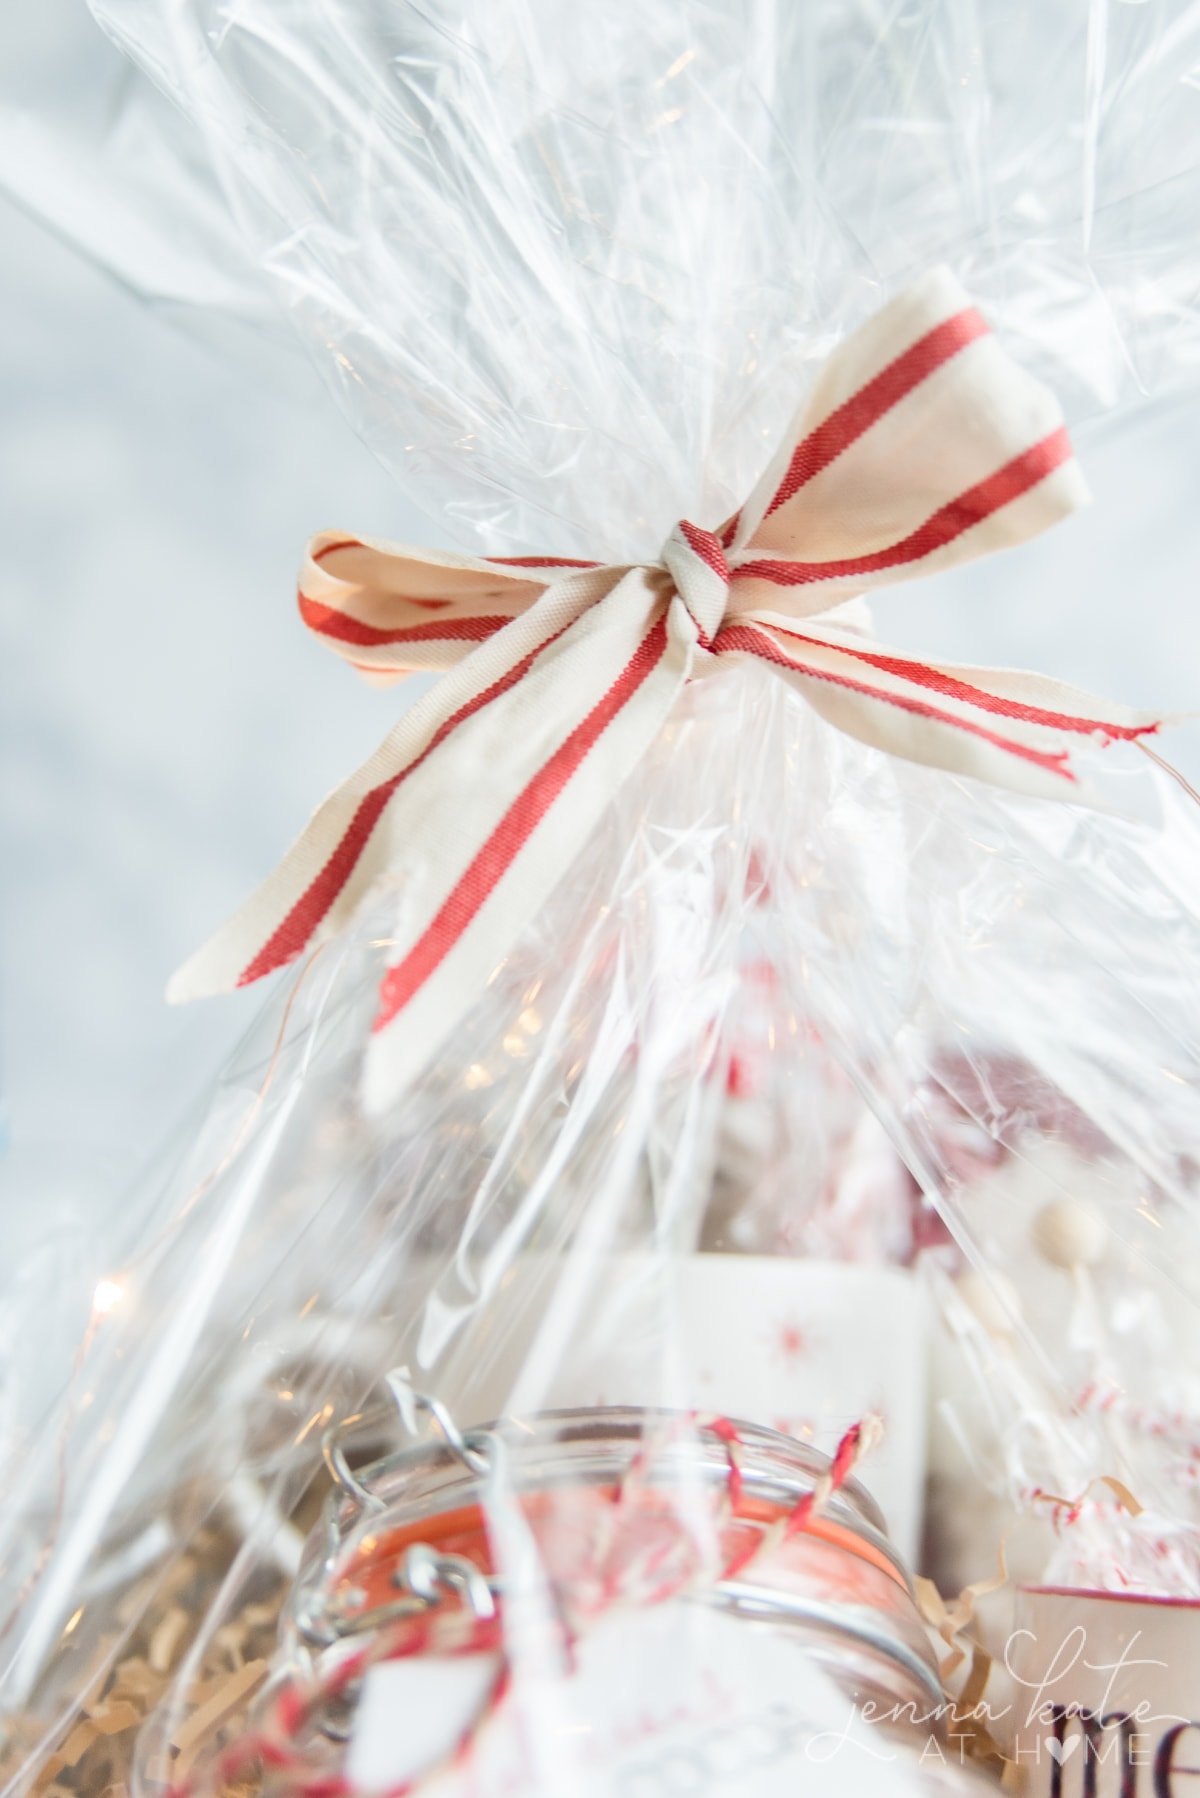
(920, 447)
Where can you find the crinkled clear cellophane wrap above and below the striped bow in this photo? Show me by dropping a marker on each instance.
(798, 1002)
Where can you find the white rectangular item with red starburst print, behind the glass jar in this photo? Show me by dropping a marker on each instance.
(805, 1348)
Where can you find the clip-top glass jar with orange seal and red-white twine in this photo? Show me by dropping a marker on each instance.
(674, 1538)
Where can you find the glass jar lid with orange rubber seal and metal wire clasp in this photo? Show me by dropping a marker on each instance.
(620, 1506)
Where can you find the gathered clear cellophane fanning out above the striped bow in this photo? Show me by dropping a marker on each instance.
(569, 281)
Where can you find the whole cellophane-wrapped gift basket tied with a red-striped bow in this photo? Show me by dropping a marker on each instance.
(701, 1029)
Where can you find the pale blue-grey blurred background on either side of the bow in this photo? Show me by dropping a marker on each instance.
(168, 725)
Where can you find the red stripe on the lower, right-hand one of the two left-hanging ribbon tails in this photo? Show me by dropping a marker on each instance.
(512, 835)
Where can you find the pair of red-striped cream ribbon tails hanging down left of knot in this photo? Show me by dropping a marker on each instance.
(474, 806)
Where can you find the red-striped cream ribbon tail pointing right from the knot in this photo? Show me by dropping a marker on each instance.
(998, 725)
